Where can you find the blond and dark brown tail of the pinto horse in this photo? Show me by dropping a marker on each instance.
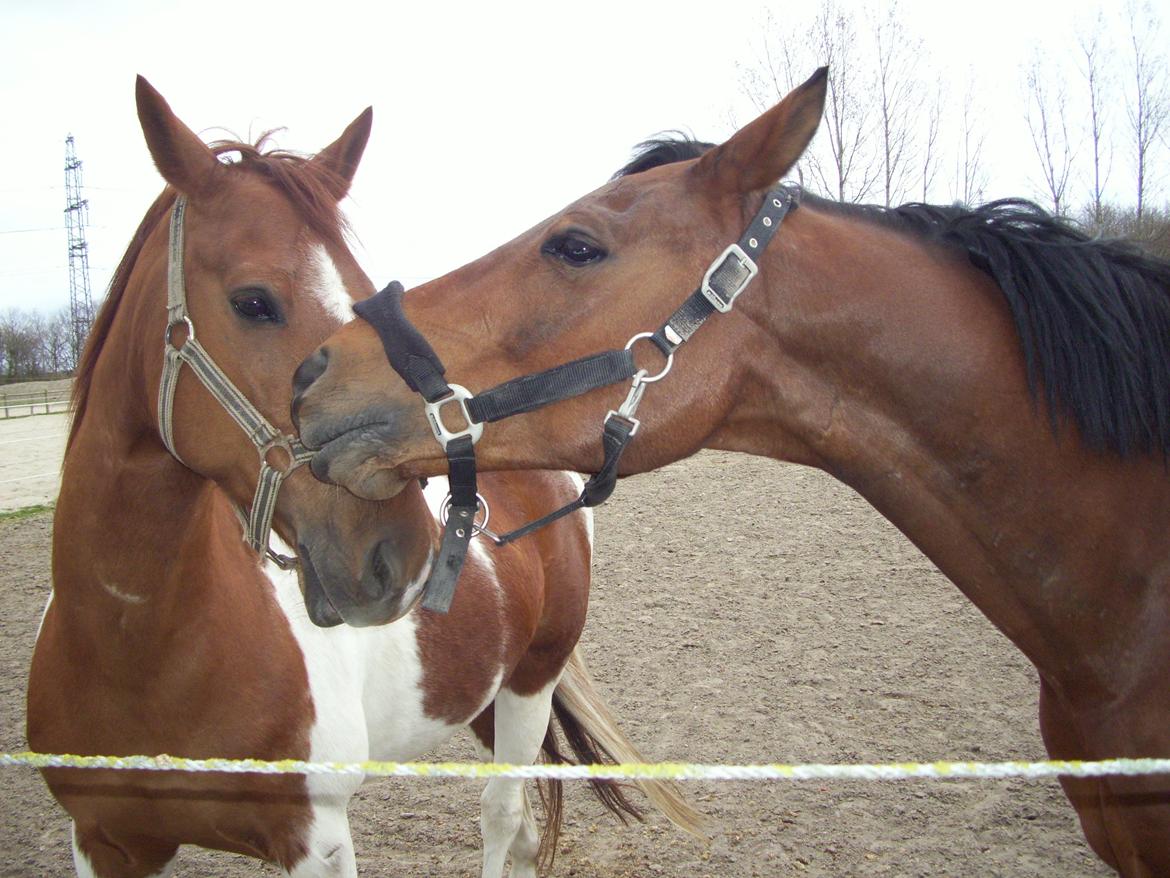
(594, 736)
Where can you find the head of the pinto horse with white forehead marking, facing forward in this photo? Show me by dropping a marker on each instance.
(260, 262)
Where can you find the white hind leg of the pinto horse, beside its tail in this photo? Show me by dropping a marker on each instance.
(507, 820)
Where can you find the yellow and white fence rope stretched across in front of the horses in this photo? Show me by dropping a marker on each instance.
(632, 772)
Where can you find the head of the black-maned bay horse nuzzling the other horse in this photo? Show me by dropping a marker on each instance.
(605, 270)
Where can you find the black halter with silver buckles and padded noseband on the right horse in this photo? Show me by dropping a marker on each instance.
(416, 361)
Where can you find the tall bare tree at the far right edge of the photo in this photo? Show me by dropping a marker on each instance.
(1150, 104)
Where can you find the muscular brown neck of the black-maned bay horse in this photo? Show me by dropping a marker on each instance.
(896, 367)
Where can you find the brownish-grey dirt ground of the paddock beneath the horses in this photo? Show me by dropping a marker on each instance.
(829, 639)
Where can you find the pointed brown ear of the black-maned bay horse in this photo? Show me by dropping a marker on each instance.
(763, 152)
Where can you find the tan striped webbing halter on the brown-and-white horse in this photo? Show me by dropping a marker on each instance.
(259, 523)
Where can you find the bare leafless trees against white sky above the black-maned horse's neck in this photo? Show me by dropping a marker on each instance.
(896, 129)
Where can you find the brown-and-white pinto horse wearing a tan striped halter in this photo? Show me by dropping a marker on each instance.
(166, 633)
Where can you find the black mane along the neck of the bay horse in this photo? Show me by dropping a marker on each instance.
(1093, 315)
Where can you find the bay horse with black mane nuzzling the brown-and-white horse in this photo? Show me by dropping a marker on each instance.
(994, 382)
